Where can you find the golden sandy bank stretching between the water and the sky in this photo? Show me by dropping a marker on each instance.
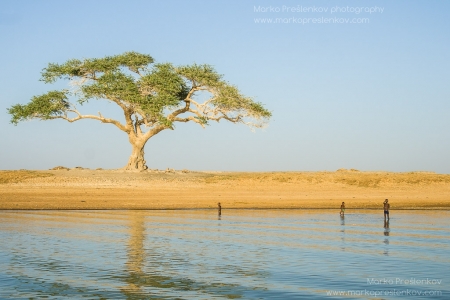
(116, 189)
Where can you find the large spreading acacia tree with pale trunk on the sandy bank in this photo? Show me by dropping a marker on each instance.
(153, 97)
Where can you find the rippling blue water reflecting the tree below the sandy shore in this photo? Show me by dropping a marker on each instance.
(248, 254)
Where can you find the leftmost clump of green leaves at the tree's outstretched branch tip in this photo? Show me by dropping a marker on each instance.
(44, 107)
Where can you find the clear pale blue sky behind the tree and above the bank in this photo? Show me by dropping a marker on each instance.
(373, 96)
